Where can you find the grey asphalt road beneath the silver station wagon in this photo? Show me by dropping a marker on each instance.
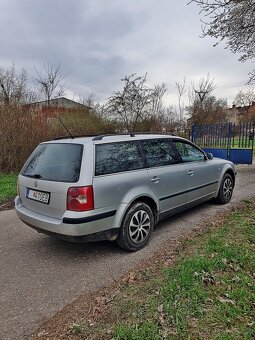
(39, 275)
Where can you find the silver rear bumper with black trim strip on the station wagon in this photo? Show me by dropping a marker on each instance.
(90, 226)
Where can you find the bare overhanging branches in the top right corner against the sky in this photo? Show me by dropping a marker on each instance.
(232, 21)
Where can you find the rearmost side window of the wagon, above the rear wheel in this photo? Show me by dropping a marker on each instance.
(117, 157)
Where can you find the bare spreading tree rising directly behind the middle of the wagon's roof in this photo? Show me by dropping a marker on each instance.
(133, 103)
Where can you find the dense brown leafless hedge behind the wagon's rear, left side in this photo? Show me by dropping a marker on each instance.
(24, 127)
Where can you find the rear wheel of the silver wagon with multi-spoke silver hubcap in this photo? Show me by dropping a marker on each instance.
(136, 227)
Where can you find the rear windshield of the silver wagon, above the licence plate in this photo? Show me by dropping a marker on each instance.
(54, 162)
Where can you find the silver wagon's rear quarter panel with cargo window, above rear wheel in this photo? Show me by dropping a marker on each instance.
(120, 173)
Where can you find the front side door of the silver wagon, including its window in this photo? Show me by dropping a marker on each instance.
(202, 174)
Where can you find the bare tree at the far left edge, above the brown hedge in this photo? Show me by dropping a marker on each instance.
(13, 86)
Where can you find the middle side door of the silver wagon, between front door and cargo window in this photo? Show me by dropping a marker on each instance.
(168, 179)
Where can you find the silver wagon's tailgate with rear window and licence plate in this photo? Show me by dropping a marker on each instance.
(46, 176)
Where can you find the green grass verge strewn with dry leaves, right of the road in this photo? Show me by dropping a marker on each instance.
(208, 292)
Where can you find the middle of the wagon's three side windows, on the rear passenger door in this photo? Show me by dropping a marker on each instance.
(159, 153)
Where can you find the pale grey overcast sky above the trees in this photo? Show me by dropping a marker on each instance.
(97, 42)
